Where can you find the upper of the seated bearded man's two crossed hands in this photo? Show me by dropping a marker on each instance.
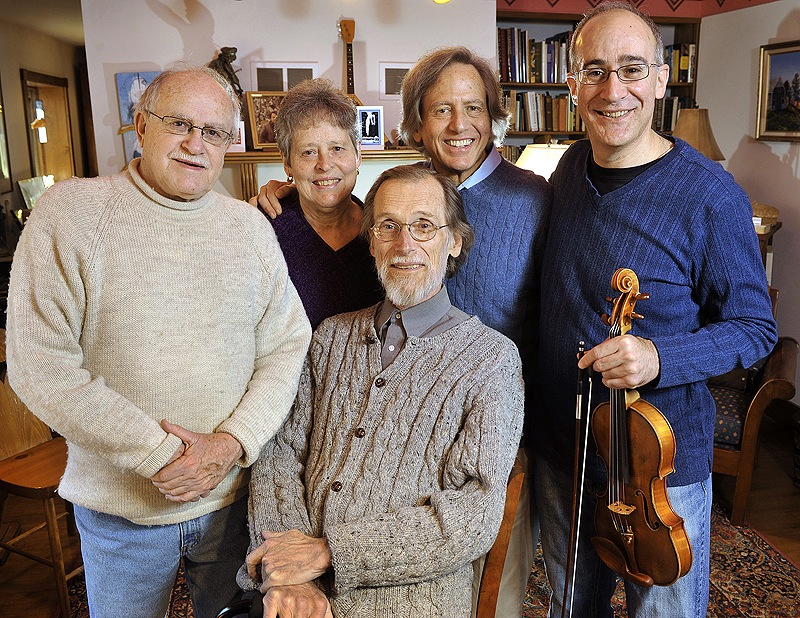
(288, 558)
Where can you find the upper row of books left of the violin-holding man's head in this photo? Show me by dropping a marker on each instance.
(524, 60)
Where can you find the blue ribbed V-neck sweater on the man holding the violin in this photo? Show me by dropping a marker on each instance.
(684, 226)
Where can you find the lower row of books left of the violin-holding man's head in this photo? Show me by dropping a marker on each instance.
(539, 111)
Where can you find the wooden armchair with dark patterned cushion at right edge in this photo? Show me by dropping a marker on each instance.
(741, 403)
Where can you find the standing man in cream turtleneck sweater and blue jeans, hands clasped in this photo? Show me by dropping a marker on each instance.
(153, 324)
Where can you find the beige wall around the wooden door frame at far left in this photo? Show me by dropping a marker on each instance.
(21, 48)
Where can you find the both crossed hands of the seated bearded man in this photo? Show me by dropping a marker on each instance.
(289, 563)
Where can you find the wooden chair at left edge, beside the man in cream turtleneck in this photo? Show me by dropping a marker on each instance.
(31, 467)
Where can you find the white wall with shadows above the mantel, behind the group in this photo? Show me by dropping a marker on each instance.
(147, 35)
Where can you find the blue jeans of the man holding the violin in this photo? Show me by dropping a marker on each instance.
(595, 583)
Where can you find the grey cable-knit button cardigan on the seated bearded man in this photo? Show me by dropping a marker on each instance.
(404, 470)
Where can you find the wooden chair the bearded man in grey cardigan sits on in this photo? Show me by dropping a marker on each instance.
(492, 568)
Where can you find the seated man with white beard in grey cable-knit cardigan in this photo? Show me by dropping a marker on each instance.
(389, 477)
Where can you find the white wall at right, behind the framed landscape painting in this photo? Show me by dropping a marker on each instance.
(728, 66)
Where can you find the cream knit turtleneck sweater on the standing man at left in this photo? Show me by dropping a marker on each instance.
(127, 307)
